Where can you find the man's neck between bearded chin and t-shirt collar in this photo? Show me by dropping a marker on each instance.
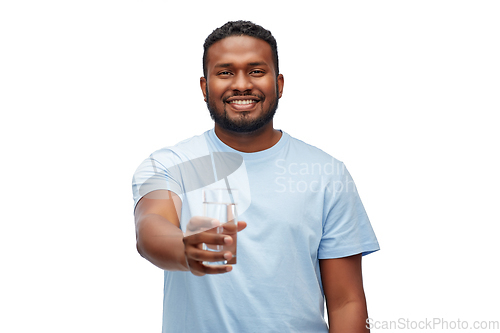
(262, 139)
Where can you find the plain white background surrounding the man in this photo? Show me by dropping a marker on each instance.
(404, 92)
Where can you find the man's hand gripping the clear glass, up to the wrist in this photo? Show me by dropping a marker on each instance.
(203, 230)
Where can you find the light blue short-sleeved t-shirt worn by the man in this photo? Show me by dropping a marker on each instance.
(300, 204)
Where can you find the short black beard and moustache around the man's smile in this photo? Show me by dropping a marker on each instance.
(242, 124)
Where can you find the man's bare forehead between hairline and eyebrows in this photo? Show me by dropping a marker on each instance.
(239, 50)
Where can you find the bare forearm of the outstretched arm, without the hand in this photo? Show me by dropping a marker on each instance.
(160, 242)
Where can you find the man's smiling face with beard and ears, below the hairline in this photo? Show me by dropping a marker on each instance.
(241, 88)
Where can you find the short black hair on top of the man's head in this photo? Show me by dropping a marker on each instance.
(240, 28)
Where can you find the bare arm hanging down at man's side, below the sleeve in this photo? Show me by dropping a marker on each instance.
(345, 297)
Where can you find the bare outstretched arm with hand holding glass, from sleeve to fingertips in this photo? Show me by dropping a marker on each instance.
(161, 240)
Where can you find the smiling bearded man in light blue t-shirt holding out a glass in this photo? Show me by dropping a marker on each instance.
(305, 227)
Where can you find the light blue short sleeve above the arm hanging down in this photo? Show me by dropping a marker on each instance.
(346, 228)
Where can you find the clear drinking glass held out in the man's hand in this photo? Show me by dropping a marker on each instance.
(221, 204)
